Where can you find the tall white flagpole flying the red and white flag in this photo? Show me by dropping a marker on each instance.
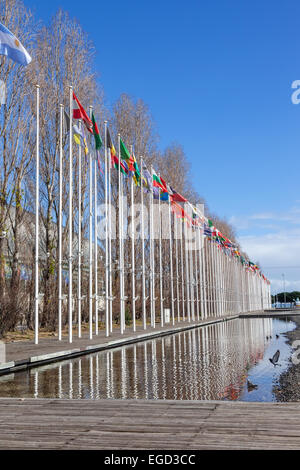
(71, 219)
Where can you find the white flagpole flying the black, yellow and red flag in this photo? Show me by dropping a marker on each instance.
(107, 265)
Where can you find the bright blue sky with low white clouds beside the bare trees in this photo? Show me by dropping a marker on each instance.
(217, 77)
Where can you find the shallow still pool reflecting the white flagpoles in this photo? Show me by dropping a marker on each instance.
(215, 362)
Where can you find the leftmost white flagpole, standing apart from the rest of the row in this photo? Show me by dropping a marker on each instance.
(37, 208)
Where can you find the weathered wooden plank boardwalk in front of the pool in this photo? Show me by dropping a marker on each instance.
(147, 425)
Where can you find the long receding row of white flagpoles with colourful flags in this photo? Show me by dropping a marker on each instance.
(207, 273)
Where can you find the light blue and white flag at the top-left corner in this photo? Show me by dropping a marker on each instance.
(12, 48)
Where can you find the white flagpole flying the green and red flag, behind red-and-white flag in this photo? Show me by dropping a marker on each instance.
(90, 243)
